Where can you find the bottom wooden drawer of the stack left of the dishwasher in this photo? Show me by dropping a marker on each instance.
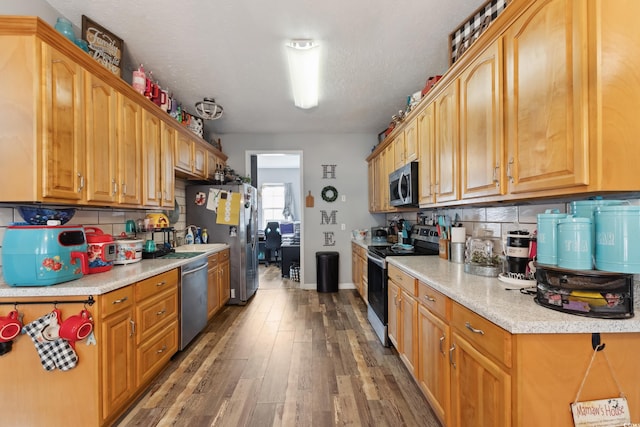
(153, 355)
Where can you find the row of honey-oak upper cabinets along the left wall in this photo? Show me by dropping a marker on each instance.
(75, 132)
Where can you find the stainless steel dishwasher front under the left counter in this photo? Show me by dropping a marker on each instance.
(193, 300)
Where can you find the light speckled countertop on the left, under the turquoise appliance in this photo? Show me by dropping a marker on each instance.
(101, 283)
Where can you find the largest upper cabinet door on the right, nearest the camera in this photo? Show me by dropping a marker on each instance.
(546, 97)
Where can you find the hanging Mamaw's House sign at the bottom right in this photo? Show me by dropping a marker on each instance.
(612, 412)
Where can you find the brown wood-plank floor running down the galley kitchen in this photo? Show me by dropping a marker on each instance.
(290, 357)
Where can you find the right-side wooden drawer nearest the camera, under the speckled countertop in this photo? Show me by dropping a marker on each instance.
(486, 336)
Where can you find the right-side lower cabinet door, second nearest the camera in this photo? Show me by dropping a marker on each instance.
(433, 362)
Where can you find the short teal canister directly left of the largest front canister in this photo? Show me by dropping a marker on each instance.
(575, 243)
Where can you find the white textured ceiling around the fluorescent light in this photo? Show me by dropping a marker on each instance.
(374, 54)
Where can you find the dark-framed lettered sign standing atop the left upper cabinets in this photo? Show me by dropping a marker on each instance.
(104, 46)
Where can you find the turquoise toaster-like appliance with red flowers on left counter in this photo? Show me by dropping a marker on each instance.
(40, 255)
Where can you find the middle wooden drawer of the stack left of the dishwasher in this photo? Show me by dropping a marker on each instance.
(153, 314)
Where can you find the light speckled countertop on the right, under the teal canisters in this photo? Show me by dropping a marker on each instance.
(509, 309)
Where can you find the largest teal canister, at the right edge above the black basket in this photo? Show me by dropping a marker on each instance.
(618, 239)
